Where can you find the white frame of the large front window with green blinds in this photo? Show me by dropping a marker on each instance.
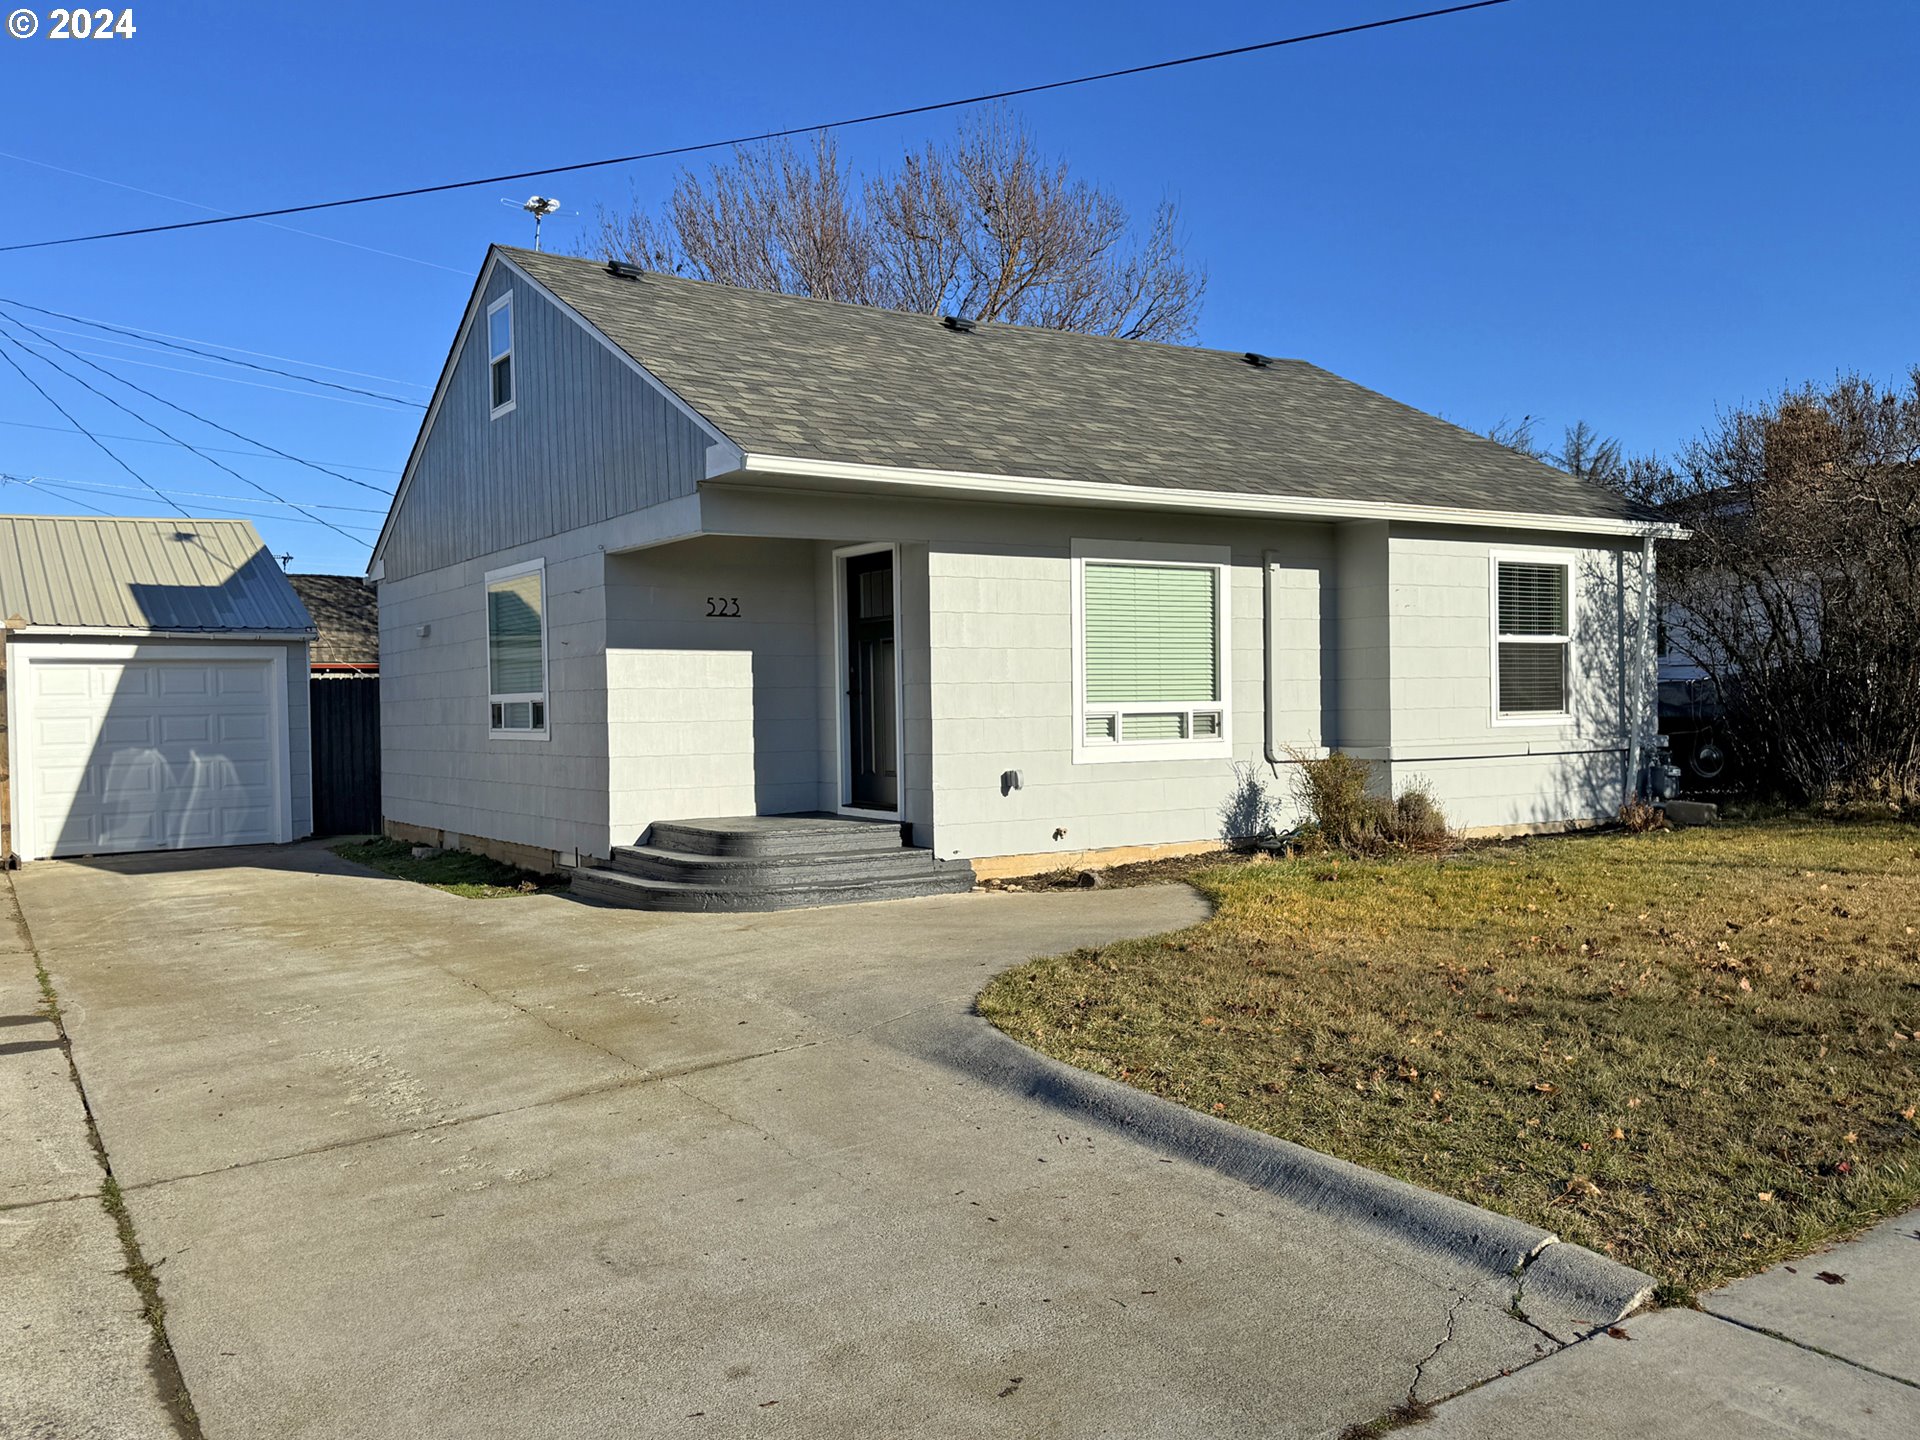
(1174, 558)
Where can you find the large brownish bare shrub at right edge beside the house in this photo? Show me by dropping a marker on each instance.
(1800, 590)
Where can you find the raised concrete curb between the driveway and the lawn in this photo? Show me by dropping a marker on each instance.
(1581, 1287)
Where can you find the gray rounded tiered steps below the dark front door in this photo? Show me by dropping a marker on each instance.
(769, 863)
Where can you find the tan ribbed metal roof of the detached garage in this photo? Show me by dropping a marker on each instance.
(112, 575)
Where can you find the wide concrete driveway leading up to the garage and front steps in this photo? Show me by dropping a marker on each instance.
(420, 1166)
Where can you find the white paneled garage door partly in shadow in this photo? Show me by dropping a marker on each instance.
(149, 756)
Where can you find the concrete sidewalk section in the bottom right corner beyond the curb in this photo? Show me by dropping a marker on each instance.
(1823, 1347)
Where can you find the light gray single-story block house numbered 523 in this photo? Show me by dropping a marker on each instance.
(677, 552)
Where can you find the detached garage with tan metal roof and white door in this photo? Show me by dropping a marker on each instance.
(156, 688)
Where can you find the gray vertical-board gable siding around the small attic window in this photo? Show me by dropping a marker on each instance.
(587, 441)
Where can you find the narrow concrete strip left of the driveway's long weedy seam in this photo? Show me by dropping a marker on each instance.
(78, 1362)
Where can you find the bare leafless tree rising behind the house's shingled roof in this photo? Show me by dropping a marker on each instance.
(982, 226)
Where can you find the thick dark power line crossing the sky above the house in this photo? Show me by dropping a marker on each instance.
(673, 153)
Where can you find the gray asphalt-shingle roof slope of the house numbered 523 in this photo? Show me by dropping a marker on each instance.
(825, 381)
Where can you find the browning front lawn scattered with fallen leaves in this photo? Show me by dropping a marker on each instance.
(1692, 1051)
